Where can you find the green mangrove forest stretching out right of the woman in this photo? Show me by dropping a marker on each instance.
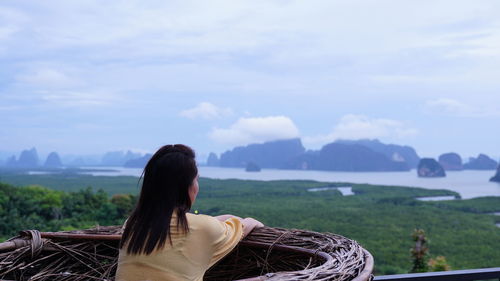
(379, 217)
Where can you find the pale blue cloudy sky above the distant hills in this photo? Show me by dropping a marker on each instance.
(87, 76)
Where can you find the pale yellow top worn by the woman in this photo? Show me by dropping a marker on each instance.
(189, 256)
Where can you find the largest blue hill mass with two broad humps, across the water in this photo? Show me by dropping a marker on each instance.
(362, 155)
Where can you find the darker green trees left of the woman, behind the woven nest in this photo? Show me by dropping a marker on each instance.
(37, 207)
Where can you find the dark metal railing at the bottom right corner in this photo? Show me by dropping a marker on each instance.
(454, 275)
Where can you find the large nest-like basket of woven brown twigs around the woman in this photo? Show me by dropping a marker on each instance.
(266, 254)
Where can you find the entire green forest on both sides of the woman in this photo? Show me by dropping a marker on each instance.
(379, 217)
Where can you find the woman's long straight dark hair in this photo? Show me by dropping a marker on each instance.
(165, 189)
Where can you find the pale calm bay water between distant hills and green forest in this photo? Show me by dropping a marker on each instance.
(468, 183)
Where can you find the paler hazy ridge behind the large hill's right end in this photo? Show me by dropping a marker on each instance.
(394, 152)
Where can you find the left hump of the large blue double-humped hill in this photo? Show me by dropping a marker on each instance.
(273, 154)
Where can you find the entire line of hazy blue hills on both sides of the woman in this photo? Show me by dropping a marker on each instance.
(342, 155)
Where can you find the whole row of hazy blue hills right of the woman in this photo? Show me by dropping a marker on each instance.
(344, 155)
